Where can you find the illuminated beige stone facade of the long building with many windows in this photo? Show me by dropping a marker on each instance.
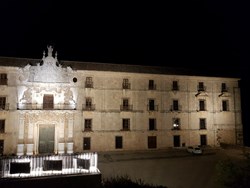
(50, 108)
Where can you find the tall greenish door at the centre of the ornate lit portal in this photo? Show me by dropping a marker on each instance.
(46, 139)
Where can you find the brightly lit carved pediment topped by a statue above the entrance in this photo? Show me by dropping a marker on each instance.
(47, 71)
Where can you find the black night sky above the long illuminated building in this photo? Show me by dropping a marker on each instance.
(208, 35)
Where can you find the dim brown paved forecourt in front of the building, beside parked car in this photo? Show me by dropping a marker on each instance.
(174, 168)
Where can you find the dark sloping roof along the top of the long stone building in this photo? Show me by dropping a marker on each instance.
(99, 66)
